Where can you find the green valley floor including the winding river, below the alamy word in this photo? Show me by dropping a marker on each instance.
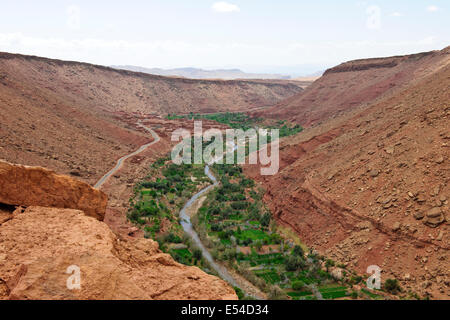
(232, 235)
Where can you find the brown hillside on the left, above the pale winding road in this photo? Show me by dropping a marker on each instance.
(39, 127)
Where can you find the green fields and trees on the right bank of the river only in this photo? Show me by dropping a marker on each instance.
(234, 217)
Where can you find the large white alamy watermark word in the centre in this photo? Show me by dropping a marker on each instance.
(231, 150)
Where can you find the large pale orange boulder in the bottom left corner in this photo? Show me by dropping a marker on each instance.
(38, 246)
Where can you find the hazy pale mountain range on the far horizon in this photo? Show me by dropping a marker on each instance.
(195, 73)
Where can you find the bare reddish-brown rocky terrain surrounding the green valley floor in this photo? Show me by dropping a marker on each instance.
(366, 182)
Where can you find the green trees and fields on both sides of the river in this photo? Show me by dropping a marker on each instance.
(235, 225)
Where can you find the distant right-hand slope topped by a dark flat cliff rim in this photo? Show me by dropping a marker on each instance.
(355, 84)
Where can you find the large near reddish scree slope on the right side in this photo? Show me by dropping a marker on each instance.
(372, 187)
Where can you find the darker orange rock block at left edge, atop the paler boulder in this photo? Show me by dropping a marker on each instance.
(36, 186)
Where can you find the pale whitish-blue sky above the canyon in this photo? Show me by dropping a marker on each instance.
(277, 36)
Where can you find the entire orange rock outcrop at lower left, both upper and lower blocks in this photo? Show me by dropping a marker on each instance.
(46, 252)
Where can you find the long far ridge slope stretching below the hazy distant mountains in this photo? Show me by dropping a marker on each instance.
(121, 90)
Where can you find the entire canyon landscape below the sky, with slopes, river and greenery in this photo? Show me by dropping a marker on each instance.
(363, 180)
